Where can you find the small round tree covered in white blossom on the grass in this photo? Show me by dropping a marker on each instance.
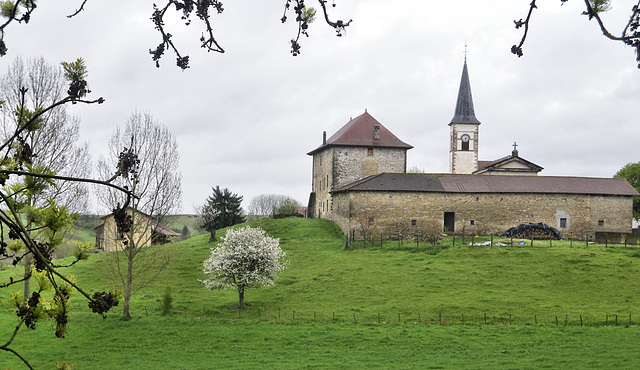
(246, 258)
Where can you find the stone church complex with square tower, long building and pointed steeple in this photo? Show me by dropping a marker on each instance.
(360, 177)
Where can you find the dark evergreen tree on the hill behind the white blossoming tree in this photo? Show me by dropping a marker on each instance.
(222, 209)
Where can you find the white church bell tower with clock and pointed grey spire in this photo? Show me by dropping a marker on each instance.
(463, 146)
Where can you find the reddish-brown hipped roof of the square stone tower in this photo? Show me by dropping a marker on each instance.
(359, 131)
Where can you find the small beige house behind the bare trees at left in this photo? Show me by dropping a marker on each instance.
(146, 232)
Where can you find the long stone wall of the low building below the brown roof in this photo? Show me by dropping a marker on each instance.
(486, 213)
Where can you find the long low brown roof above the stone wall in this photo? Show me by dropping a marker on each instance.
(448, 183)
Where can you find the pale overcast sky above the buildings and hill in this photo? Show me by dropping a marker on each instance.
(245, 119)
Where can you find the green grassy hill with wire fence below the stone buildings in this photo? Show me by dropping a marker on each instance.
(397, 306)
